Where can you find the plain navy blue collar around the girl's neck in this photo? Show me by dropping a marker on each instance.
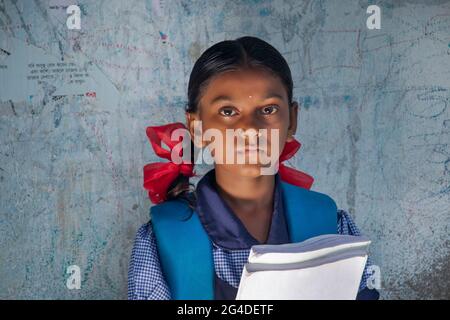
(224, 228)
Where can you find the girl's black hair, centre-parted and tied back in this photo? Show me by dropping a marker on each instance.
(244, 52)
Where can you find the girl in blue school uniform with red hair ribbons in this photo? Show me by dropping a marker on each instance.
(197, 241)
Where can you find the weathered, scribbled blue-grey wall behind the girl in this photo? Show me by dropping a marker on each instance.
(374, 124)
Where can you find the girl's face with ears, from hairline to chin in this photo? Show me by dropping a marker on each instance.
(245, 99)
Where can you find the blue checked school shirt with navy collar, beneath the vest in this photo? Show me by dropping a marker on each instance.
(231, 243)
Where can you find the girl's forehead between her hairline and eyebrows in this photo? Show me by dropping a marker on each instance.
(242, 83)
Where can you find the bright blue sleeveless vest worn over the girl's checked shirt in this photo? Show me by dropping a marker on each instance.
(185, 250)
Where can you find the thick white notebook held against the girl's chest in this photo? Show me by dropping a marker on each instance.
(326, 267)
